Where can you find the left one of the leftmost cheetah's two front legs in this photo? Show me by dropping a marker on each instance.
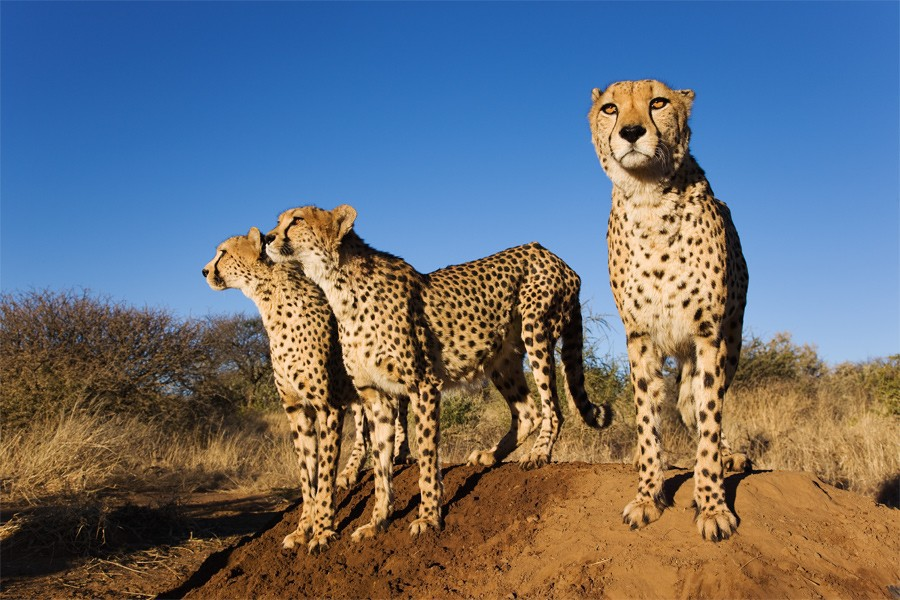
(302, 421)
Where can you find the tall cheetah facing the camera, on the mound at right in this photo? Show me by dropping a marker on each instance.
(679, 280)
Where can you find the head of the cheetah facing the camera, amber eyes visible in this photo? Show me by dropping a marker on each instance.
(640, 129)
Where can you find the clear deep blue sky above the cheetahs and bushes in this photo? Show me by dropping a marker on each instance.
(137, 136)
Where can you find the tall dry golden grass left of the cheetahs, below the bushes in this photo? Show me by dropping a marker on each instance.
(78, 453)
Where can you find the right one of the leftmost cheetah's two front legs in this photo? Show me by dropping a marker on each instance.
(330, 421)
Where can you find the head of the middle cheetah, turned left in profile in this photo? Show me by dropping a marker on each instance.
(311, 236)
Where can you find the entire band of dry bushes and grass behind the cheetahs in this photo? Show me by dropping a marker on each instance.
(100, 401)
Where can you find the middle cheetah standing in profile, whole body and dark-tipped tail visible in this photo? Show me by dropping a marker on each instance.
(404, 332)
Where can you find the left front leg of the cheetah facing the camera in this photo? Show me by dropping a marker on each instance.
(649, 390)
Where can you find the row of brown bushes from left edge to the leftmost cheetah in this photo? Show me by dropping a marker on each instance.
(60, 350)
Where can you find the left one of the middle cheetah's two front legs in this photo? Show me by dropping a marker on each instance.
(381, 413)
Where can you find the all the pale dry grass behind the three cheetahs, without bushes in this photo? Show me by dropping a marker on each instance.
(834, 426)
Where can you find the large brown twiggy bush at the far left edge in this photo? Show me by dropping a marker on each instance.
(62, 349)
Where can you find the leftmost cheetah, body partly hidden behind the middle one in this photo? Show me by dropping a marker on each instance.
(309, 375)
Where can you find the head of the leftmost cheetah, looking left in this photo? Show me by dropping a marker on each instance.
(235, 262)
